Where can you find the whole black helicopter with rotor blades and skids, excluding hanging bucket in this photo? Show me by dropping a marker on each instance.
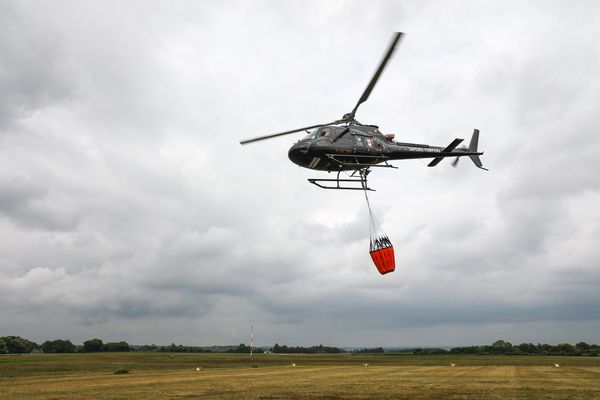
(348, 145)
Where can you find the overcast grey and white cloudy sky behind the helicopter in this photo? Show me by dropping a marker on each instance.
(129, 211)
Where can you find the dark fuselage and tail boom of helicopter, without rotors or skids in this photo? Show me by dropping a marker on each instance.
(338, 148)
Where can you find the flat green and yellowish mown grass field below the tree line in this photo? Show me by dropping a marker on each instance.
(230, 376)
